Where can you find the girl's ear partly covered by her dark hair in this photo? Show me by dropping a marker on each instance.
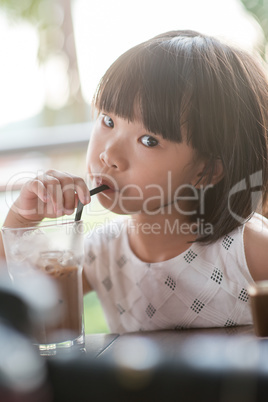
(211, 173)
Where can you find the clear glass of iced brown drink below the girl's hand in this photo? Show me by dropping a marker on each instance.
(55, 249)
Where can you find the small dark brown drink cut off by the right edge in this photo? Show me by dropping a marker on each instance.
(259, 305)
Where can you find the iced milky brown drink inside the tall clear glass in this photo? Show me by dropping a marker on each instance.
(67, 274)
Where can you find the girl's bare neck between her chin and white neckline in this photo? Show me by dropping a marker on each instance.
(160, 238)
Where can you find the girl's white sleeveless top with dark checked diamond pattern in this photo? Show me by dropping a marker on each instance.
(205, 286)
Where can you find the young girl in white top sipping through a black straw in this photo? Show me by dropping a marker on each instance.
(181, 142)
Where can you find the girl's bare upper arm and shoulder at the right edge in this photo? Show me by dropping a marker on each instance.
(256, 247)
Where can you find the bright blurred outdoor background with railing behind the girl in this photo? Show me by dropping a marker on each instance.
(54, 52)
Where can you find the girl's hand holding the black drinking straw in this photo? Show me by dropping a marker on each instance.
(50, 195)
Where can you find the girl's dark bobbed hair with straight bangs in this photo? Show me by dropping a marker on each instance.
(184, 78)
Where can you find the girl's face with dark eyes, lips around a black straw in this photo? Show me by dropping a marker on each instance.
(143, 170)
